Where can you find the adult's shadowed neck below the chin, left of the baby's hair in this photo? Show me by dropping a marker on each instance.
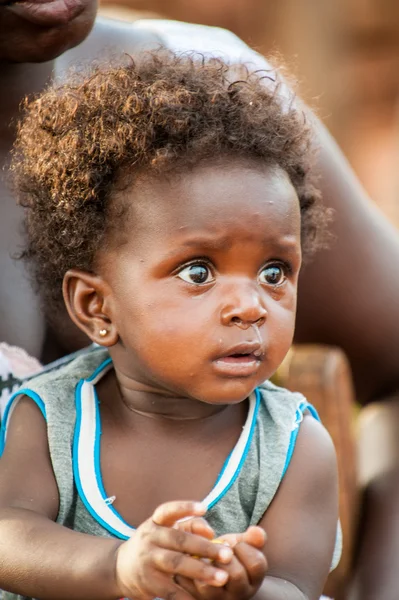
(16, 82)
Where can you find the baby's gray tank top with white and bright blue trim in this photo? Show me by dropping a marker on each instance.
(242, 493)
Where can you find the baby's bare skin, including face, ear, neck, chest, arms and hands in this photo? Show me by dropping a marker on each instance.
(226, 287)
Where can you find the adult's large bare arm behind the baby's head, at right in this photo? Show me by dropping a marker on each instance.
(349, 294)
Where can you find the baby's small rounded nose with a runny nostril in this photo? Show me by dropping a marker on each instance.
(244, 307)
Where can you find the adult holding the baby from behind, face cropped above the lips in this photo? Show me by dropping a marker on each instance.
(355, 305)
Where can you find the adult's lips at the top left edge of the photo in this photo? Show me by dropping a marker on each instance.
(48, 12)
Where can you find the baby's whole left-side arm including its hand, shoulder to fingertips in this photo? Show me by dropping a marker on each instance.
(42, 559)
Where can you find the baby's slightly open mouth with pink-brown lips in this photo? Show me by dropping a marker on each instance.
(243, 360)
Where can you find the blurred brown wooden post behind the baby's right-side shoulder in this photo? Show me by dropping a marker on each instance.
(322, 374)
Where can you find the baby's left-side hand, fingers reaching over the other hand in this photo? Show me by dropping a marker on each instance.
(147, 565)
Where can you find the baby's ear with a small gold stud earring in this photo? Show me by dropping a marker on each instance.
(87, 298)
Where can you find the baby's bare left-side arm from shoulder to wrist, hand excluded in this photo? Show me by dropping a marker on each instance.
(40, 558)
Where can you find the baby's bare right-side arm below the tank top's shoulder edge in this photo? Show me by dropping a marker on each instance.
(301, 523)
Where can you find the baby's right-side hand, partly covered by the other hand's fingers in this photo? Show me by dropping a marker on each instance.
(246, 570)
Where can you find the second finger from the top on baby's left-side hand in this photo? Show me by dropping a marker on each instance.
(188, 543)
